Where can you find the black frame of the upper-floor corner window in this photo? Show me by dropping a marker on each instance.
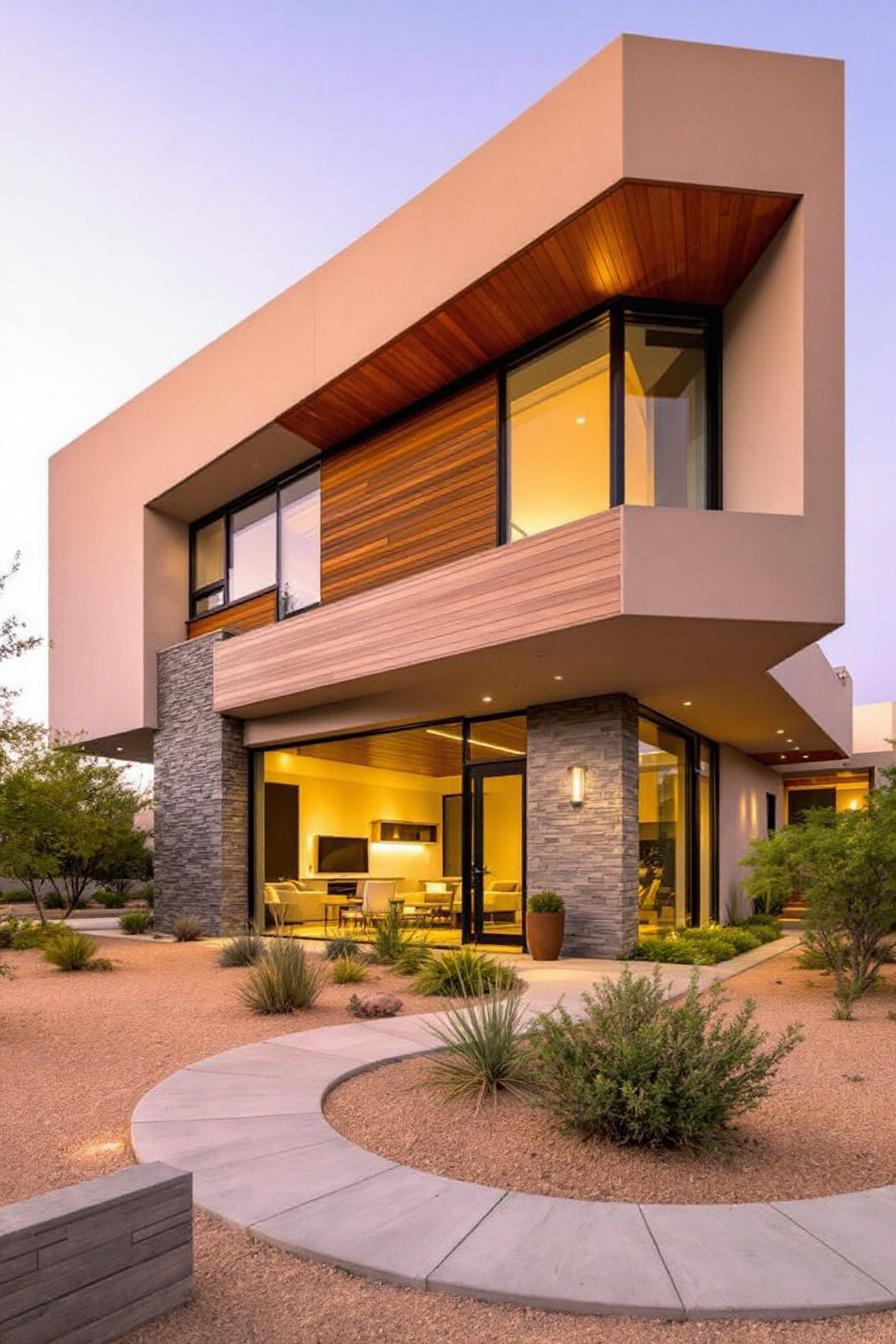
(701, 317)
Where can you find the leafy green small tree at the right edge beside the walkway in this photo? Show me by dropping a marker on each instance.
(844, 866)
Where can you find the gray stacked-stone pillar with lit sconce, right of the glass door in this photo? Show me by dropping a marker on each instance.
(589, 854)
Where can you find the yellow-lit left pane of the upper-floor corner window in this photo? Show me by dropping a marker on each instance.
(558, 435)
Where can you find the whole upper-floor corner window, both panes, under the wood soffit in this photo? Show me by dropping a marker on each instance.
(624, 412)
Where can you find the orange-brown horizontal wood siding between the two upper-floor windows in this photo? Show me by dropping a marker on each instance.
(410, 498)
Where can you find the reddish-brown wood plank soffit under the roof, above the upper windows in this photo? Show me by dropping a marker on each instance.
(644, 240)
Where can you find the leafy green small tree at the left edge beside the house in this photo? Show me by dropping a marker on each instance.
(65, 819)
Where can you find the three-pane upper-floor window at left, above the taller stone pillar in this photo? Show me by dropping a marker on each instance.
(273, 541)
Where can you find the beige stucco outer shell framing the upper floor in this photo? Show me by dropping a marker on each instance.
(764, 577)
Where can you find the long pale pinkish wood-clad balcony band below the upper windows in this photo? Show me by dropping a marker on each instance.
(550, 583)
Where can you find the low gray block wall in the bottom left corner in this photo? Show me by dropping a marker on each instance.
(92, 1263)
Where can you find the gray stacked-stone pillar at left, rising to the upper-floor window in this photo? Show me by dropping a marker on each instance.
(201, 798)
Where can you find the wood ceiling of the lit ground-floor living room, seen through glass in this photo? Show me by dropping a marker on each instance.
(435, 752)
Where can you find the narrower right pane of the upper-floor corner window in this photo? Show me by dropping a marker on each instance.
(666, 415)
